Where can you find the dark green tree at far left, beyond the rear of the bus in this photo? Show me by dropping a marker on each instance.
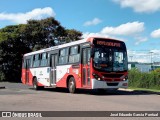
(12, 49)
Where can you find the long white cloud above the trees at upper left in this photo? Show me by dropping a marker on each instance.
(20, 18)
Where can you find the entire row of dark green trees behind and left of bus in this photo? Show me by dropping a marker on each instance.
(16, 40)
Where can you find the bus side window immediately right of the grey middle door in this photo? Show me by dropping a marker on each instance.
(63, 56)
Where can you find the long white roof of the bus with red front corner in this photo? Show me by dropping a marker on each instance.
(66, 45)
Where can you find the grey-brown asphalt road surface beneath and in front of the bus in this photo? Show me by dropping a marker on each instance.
(18, 97)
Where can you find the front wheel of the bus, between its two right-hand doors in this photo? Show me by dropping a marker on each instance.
(72, 85)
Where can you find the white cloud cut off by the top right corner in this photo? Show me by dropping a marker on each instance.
(140, 6)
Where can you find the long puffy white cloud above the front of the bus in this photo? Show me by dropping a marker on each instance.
(130, 28)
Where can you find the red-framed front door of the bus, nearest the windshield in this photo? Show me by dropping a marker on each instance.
(86, 67)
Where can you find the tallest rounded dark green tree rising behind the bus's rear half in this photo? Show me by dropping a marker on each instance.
(42, 33)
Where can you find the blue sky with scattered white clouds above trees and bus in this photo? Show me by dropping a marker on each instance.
(136, 22)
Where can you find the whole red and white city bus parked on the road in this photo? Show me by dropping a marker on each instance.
(92, 63)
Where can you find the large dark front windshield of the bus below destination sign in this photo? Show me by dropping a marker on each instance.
(110, 59)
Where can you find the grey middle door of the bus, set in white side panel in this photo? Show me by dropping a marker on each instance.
(53, 69)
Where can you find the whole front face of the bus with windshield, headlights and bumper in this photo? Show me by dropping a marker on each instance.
(109, 64)
